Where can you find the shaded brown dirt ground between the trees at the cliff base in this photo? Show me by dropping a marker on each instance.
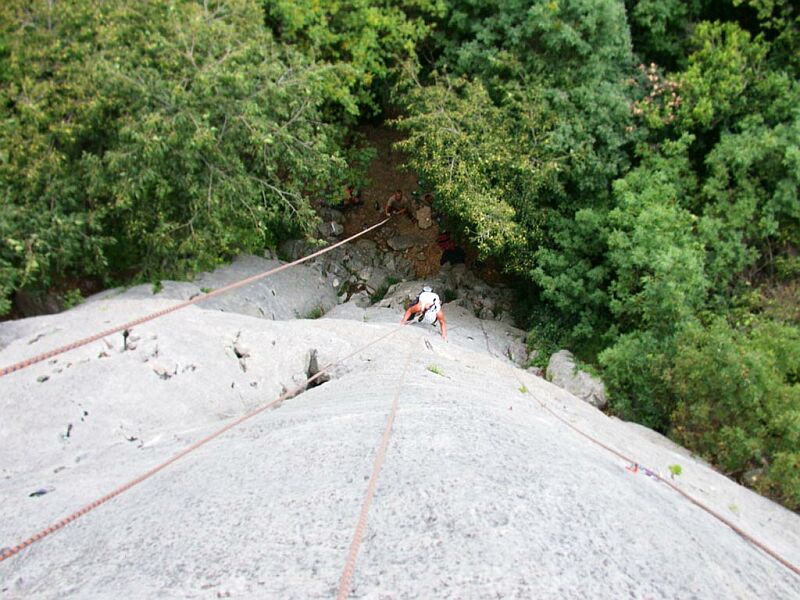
(385, 176)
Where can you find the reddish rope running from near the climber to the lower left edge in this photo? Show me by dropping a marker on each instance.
(9, 552)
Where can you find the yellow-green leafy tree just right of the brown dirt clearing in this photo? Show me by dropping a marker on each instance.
(461, 143)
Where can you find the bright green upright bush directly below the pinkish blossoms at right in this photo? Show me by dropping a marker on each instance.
(655, 255)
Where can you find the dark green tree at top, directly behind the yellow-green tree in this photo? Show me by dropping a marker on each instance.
(567, 61)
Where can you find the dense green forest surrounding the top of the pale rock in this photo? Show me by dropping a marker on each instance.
(633, 166)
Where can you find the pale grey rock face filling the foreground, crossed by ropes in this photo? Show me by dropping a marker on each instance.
(483, 493)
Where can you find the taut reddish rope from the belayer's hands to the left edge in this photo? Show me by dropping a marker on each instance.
(98, 336)
